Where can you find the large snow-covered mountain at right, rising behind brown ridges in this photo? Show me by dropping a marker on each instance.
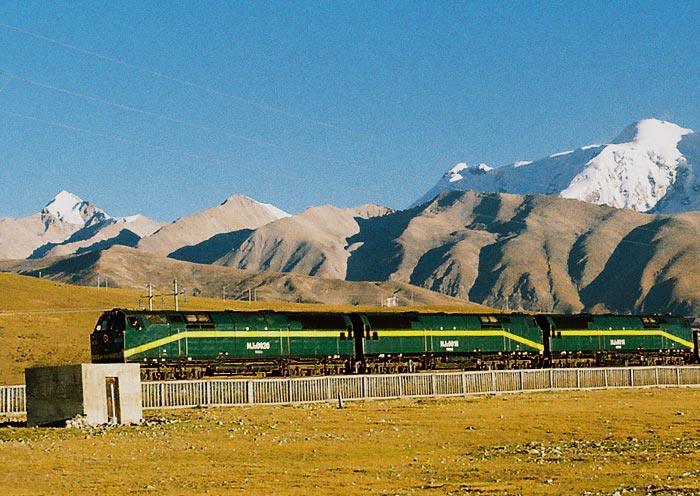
(652, 166)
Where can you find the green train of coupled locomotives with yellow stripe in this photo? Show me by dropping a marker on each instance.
(191, 344)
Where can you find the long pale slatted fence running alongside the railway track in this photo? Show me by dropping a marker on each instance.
(229, 392)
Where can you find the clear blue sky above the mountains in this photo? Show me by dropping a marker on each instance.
(167, 108)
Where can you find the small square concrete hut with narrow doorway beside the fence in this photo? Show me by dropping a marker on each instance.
(101, 393)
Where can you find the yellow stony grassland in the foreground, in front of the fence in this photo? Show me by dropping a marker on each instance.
(575, 443)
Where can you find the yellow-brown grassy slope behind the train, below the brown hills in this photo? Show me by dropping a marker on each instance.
(47, 323)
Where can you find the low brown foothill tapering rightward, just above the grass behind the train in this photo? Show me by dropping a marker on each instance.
(130, 268)
